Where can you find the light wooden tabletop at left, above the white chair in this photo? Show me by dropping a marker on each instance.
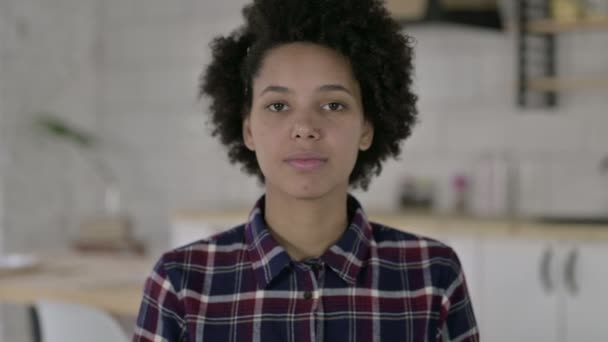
(111, 283)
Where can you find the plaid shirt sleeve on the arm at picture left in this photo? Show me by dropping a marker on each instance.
(161, 312)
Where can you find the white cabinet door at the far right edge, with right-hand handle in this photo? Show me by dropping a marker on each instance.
(585, 285)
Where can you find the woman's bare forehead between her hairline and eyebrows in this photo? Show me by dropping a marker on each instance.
(304, 66)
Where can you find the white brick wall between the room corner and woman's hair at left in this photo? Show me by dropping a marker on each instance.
(153, 54)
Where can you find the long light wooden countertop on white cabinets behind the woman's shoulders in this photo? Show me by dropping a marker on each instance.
(433, 225)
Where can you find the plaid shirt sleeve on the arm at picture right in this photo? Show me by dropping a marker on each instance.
(457, 317)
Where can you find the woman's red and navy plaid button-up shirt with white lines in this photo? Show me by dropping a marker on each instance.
(375, 284)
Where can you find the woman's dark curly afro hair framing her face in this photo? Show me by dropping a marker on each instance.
(361, 30)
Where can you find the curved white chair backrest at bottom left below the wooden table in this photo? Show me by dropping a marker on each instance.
(67, 322)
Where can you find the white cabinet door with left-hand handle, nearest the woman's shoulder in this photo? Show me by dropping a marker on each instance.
(520, 296)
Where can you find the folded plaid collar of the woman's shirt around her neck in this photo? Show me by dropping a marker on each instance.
(346, 257)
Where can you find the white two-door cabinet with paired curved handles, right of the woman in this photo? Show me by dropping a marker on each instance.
(543, 290)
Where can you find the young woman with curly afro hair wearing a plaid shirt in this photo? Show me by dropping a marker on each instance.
(311, 97)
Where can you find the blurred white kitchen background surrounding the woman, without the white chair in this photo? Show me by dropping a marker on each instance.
(106, 161)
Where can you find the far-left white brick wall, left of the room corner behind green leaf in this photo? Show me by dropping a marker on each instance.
(47, 66)
